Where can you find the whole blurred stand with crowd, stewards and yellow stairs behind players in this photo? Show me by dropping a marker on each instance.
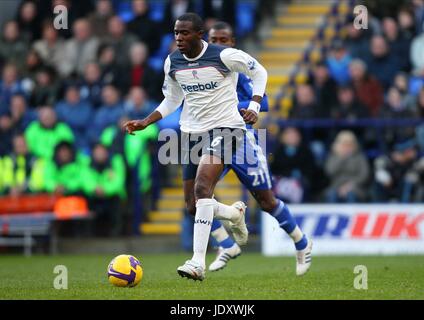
(346, 120)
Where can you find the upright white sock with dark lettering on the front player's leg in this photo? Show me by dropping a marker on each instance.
(202, 229)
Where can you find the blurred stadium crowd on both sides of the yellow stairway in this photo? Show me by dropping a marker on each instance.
(64, 94)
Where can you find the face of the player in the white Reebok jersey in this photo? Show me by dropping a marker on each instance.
(186, 37)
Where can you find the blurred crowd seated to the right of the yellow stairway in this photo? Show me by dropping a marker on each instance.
(364, 78)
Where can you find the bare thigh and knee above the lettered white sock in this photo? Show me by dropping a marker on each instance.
(208, 174)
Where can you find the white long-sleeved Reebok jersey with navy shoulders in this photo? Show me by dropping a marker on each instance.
(207, 84)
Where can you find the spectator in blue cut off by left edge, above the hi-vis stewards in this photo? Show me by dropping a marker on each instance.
(9, 86)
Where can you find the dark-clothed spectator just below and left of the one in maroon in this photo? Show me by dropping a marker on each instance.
(347, 106)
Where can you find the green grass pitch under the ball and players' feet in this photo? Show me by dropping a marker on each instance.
(251, 276)
